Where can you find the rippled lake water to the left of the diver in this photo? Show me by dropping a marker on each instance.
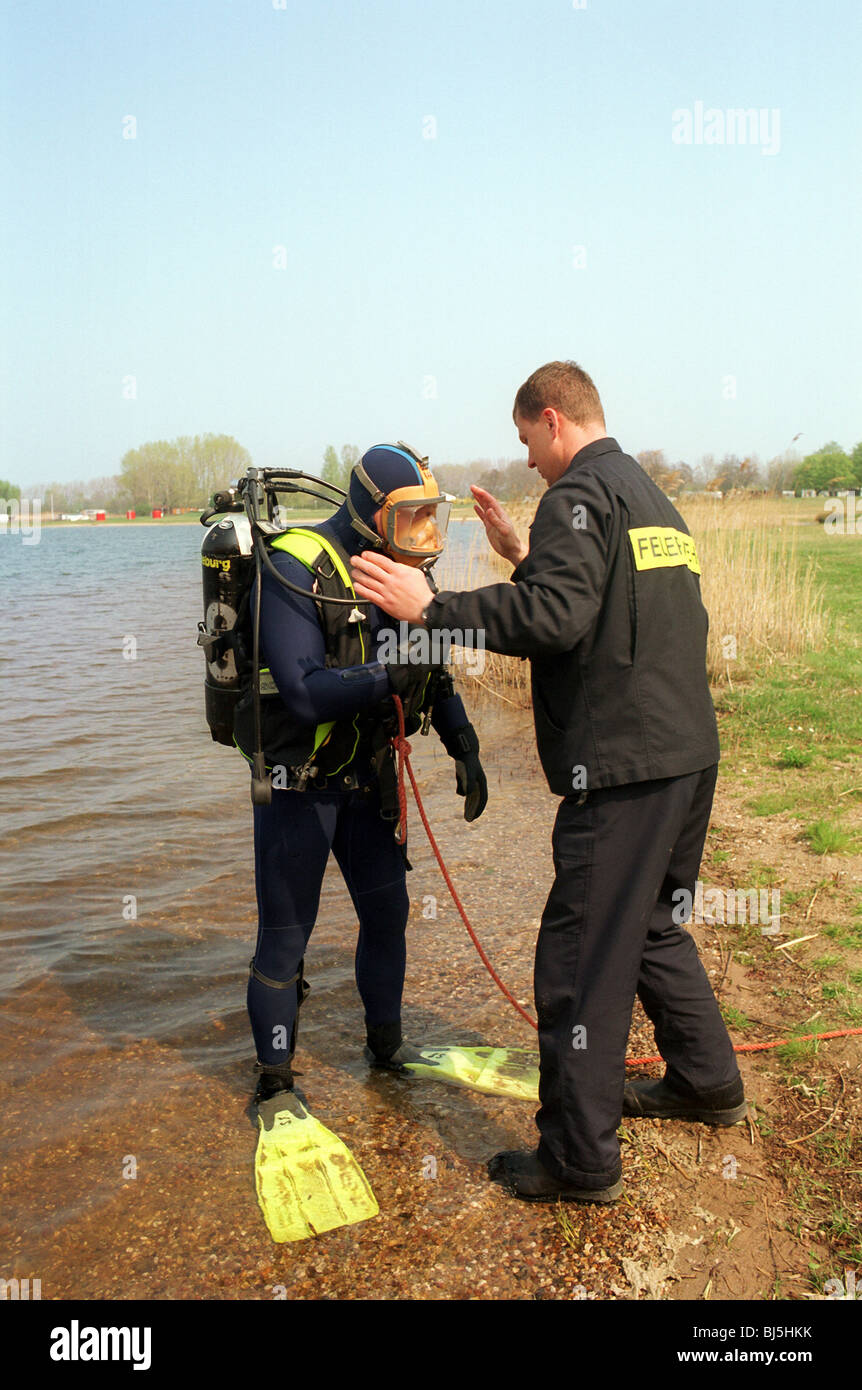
(124, 832)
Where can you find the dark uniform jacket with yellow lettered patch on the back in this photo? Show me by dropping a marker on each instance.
(608, 608)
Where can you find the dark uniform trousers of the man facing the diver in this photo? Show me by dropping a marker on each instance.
(626, 862)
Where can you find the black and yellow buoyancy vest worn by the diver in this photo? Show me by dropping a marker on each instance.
(326, 754)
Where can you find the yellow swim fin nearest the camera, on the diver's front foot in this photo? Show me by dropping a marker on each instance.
(308, 1182)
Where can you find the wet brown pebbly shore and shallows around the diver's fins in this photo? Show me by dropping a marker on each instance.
(131, 1167)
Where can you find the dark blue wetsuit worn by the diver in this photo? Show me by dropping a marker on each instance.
(294, 835)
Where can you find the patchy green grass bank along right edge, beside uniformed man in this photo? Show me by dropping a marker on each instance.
(790, 747)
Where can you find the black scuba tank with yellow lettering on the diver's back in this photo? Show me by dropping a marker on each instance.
(229, 566)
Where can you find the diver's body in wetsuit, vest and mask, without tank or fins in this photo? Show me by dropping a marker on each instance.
(327, 719)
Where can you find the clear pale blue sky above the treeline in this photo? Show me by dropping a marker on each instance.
(425, 277)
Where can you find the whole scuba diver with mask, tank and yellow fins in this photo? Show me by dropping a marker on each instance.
(301, 678)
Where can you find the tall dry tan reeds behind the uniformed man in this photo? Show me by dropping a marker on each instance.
(763, 600)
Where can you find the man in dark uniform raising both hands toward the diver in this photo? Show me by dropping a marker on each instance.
(607, 605)
